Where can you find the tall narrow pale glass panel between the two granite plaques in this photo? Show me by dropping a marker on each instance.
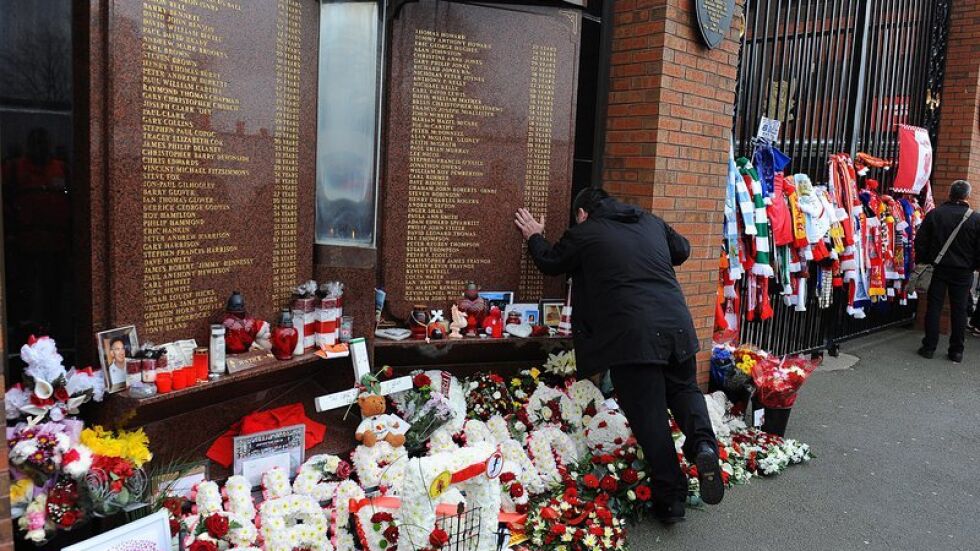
(347, 127)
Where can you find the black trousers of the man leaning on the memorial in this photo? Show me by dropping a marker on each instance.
(645, 391)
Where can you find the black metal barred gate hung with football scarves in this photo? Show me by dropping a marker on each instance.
(840, 75)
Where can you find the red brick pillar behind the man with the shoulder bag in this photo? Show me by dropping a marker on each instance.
(957, 155)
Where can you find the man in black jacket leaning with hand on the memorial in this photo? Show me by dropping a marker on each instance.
(630, 316)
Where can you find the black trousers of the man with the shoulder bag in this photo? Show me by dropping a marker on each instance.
(956, 284)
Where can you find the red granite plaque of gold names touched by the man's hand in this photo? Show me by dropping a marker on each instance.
(480, 122)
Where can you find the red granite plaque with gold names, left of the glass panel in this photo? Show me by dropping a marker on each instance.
(211, 158)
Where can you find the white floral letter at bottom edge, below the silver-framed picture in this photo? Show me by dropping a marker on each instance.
(281, 534)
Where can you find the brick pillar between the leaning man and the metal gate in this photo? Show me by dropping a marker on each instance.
(671, 104)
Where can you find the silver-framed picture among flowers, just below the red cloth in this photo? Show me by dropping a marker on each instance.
(254, 454)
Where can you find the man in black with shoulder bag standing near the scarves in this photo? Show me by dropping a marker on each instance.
(954, 273)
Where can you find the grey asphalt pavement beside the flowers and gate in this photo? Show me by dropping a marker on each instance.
(897, 440)
